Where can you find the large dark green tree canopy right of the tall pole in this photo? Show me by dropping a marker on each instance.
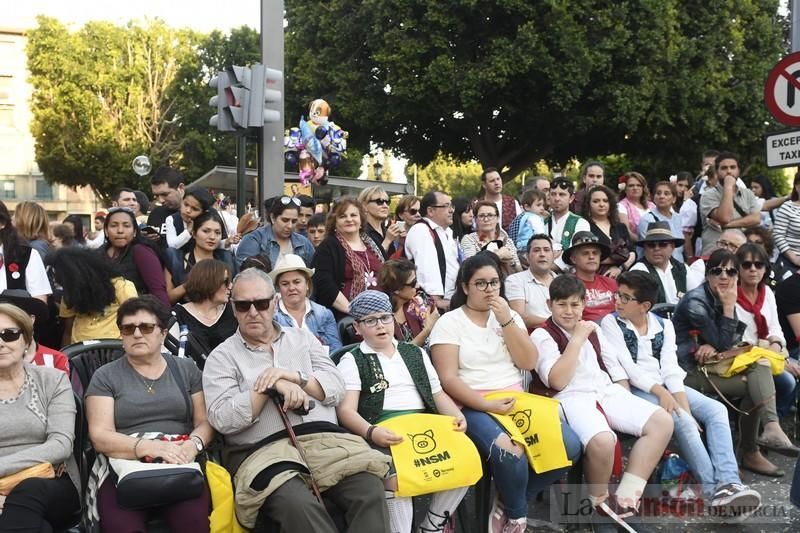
(510, 83)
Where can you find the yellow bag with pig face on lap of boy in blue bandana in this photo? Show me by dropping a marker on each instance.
(433, 455)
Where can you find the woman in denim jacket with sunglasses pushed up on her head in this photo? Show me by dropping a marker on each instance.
(279, 237)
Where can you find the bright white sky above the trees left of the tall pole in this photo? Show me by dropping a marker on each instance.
(201, 15)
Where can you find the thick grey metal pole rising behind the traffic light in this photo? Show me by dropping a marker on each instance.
(270, 150)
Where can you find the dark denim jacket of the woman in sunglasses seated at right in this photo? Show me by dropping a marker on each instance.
(700, 310)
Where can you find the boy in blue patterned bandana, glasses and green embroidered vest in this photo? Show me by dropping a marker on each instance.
(384, 378)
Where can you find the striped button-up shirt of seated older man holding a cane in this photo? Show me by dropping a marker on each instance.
(233, 367)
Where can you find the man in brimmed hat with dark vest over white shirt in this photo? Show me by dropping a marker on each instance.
(659, 243)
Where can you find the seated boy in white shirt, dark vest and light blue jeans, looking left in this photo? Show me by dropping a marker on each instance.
(650, 362)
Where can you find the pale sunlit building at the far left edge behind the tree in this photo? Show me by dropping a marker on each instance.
(20, 177)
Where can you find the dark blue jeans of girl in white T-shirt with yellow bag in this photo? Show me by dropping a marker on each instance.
(511, 472)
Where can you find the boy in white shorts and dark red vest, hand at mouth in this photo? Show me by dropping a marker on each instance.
(570, 364)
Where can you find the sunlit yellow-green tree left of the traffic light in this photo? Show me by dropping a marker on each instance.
(103, 95)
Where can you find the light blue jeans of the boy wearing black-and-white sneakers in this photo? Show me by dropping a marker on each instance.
(715, 464)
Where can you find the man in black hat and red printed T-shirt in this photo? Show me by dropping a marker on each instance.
(585, 255)
